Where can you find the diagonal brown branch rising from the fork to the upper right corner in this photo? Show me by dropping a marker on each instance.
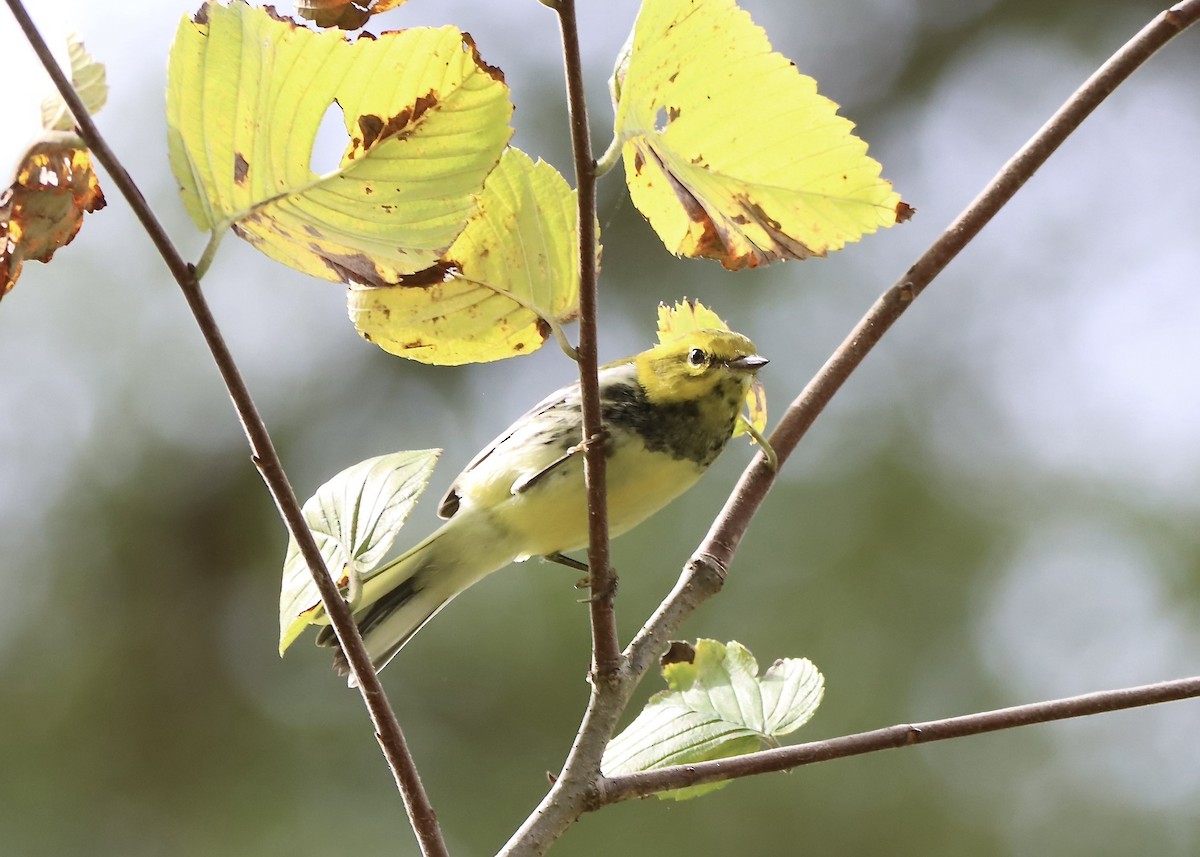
(718, 548)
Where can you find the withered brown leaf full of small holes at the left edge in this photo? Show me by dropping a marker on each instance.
(44, 208)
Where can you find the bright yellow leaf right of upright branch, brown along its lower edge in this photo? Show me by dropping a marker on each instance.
(730, 152)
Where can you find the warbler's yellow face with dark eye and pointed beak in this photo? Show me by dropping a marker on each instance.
(699, 365)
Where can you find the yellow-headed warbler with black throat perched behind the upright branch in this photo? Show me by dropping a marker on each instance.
(668, 415)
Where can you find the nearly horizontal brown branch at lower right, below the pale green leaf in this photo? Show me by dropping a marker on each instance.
(615, 789)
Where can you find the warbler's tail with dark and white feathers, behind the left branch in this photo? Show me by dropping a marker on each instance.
(406, 594)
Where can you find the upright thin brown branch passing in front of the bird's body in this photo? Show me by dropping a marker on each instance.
(605, 650)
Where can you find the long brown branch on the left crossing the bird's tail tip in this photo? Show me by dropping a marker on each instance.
(265, 456)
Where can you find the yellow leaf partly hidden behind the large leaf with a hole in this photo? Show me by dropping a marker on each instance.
(509, 279)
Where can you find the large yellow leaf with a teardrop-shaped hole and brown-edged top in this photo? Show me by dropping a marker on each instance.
(427, 121)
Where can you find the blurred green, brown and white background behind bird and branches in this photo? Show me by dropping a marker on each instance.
(1001, 507)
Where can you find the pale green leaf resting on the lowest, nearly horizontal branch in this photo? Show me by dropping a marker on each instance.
(717, 706)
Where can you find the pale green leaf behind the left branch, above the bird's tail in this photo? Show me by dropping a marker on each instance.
(355, 519)
